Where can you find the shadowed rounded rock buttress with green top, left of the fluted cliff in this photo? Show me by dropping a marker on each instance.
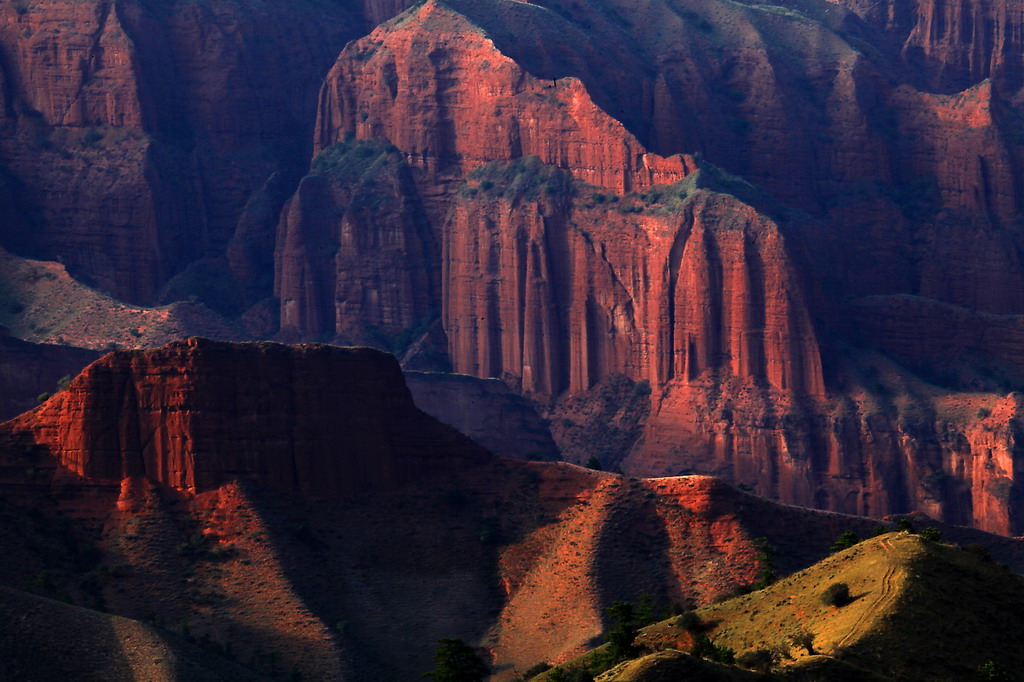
(357, 258)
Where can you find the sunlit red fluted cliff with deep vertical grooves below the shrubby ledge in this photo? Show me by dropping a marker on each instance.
(566, 293)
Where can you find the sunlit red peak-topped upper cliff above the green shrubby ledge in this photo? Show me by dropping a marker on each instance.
(437, 87)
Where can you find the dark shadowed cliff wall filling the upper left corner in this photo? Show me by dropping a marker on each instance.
(139, 132)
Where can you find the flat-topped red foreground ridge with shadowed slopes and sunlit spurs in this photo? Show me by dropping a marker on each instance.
(196, 529)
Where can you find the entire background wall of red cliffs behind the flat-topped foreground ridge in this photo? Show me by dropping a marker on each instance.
(894, 126)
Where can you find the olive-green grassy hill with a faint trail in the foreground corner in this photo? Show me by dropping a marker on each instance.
(918, 611)
